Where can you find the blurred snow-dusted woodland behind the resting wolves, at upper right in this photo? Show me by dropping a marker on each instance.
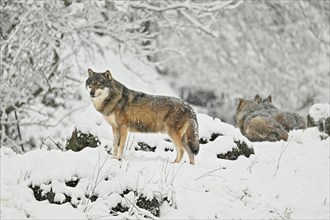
(273, 47)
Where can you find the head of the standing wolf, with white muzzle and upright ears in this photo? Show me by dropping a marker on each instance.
(98, 84)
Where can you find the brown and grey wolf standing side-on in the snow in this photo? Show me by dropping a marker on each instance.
(128, 110)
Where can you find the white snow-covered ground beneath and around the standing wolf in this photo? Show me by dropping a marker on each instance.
(282, 180)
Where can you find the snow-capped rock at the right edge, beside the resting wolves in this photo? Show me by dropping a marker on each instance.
(319, 116)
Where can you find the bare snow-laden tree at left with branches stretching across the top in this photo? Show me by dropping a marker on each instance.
(37, 37)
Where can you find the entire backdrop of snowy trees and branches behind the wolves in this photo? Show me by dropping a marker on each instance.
(210, 52)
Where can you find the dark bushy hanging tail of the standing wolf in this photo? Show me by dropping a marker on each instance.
(192, 136)
